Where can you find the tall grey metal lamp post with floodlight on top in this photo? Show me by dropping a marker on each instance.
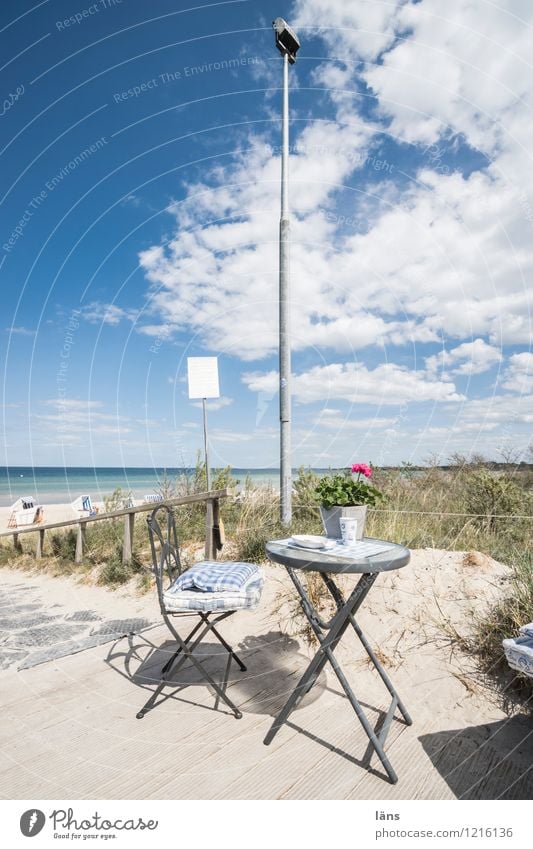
(288, 45)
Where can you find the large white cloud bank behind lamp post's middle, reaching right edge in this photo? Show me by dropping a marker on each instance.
(448, 258)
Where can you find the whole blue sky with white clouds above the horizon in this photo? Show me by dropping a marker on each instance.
(140, 206)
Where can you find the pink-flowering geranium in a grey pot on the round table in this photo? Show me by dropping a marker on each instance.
(346, 493)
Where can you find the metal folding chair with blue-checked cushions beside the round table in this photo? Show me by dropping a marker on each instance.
(210, 590)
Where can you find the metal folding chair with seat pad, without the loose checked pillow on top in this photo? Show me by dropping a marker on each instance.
(214, 609)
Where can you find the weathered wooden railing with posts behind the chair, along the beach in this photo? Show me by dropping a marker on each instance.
(212, 518)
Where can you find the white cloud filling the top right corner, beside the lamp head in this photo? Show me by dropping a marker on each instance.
(457, 68)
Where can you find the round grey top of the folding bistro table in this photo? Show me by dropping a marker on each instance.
(317, 560)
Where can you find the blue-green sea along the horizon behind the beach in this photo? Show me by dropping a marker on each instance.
(58, 484)
